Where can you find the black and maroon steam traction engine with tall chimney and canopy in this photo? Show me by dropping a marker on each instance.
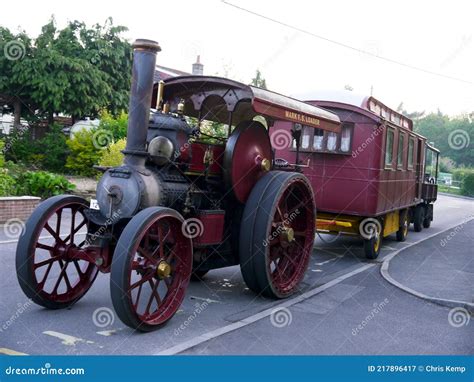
(181, 203)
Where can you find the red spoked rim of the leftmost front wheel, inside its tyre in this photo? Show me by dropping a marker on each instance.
(57, 277)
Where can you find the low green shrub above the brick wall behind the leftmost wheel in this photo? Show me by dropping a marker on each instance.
(43, 184)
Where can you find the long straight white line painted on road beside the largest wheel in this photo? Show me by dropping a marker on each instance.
(256, 317)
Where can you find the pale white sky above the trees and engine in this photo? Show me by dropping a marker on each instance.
(435, 36)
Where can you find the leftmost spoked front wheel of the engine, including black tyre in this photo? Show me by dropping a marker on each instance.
(45, 271)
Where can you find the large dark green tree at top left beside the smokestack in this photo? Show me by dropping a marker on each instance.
(77, 71)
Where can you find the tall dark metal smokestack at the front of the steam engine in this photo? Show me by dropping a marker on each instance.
(144, 61)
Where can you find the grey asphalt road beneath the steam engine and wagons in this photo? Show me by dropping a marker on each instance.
(345, 307)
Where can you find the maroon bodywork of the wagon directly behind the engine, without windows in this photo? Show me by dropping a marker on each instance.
(358, 182)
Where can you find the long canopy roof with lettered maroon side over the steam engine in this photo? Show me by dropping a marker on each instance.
(214, 98)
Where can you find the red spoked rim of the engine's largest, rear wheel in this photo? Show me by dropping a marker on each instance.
(287, 260)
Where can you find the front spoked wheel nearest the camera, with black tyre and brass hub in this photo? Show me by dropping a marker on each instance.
(151, 268)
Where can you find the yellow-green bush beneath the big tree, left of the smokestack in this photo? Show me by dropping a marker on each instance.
(83, 153)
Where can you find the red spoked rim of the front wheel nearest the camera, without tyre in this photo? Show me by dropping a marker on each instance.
(152, 296)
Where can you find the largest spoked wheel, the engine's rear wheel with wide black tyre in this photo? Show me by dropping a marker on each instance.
(277, 233)
